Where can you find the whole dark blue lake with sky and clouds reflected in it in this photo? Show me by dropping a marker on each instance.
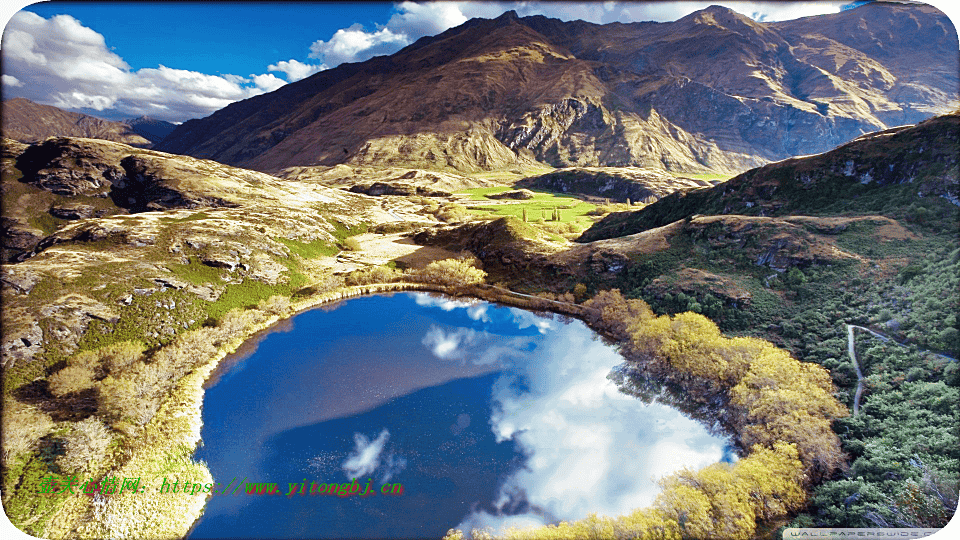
(487, 416)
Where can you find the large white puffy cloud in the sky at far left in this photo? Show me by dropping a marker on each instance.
(60, 62)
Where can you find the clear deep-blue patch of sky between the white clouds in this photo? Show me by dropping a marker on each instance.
(179, 34)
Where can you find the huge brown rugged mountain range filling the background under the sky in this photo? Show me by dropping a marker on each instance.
(713, 91)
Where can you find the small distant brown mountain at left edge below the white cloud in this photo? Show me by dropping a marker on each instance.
(26, 121)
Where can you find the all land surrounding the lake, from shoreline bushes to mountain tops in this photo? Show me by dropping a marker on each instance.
(549, 166)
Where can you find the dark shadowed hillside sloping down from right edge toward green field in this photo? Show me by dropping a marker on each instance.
(884, 172)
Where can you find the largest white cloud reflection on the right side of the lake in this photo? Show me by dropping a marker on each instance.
(581, 435)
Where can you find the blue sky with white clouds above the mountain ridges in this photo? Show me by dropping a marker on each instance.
(177, 61)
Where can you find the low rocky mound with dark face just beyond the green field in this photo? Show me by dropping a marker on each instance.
(615, 183)
